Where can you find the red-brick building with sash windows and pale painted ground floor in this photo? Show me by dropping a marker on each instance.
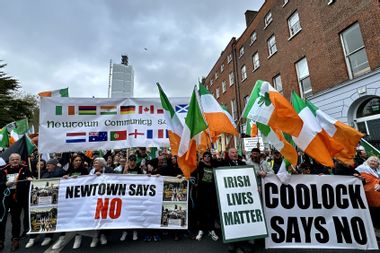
(327, 51)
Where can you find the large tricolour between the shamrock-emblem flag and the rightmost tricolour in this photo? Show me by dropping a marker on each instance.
(313, 139)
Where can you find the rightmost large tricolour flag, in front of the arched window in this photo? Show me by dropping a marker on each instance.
(341, 133)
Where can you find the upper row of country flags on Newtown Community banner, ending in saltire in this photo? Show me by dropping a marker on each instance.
(114, 110)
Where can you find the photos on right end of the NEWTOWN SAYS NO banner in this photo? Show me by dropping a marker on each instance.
(174, 205)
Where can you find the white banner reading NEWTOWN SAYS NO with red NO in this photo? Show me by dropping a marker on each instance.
(108, 202)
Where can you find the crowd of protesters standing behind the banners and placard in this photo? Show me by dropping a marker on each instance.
(16, 175)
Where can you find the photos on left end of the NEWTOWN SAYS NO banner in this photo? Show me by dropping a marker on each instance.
(43, 205)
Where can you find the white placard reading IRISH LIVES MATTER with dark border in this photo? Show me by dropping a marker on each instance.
(240, 208)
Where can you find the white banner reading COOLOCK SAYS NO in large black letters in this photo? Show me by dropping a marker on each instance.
(317, 212)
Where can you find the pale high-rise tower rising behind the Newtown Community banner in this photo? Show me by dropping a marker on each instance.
(122, 84)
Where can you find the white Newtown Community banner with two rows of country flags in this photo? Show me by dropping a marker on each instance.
(76, 124)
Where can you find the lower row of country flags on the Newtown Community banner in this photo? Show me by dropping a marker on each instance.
(77, 137)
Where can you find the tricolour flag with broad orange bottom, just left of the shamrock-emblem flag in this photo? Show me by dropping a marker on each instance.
(218, 120)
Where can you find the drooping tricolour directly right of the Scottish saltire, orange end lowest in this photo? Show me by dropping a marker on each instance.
(191, 136)
